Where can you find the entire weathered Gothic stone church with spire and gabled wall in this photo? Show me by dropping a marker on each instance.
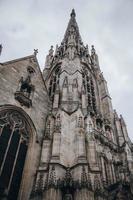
(60, 138)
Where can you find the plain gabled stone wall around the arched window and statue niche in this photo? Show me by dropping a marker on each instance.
(10, 75)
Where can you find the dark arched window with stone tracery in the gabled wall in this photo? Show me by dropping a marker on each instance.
(14, 139)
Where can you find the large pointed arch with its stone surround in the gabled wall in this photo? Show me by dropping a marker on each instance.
(17, 137)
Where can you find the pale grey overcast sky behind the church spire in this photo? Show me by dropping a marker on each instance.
(108, 24)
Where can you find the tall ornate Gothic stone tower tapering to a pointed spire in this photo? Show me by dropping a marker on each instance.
(86, 152)
